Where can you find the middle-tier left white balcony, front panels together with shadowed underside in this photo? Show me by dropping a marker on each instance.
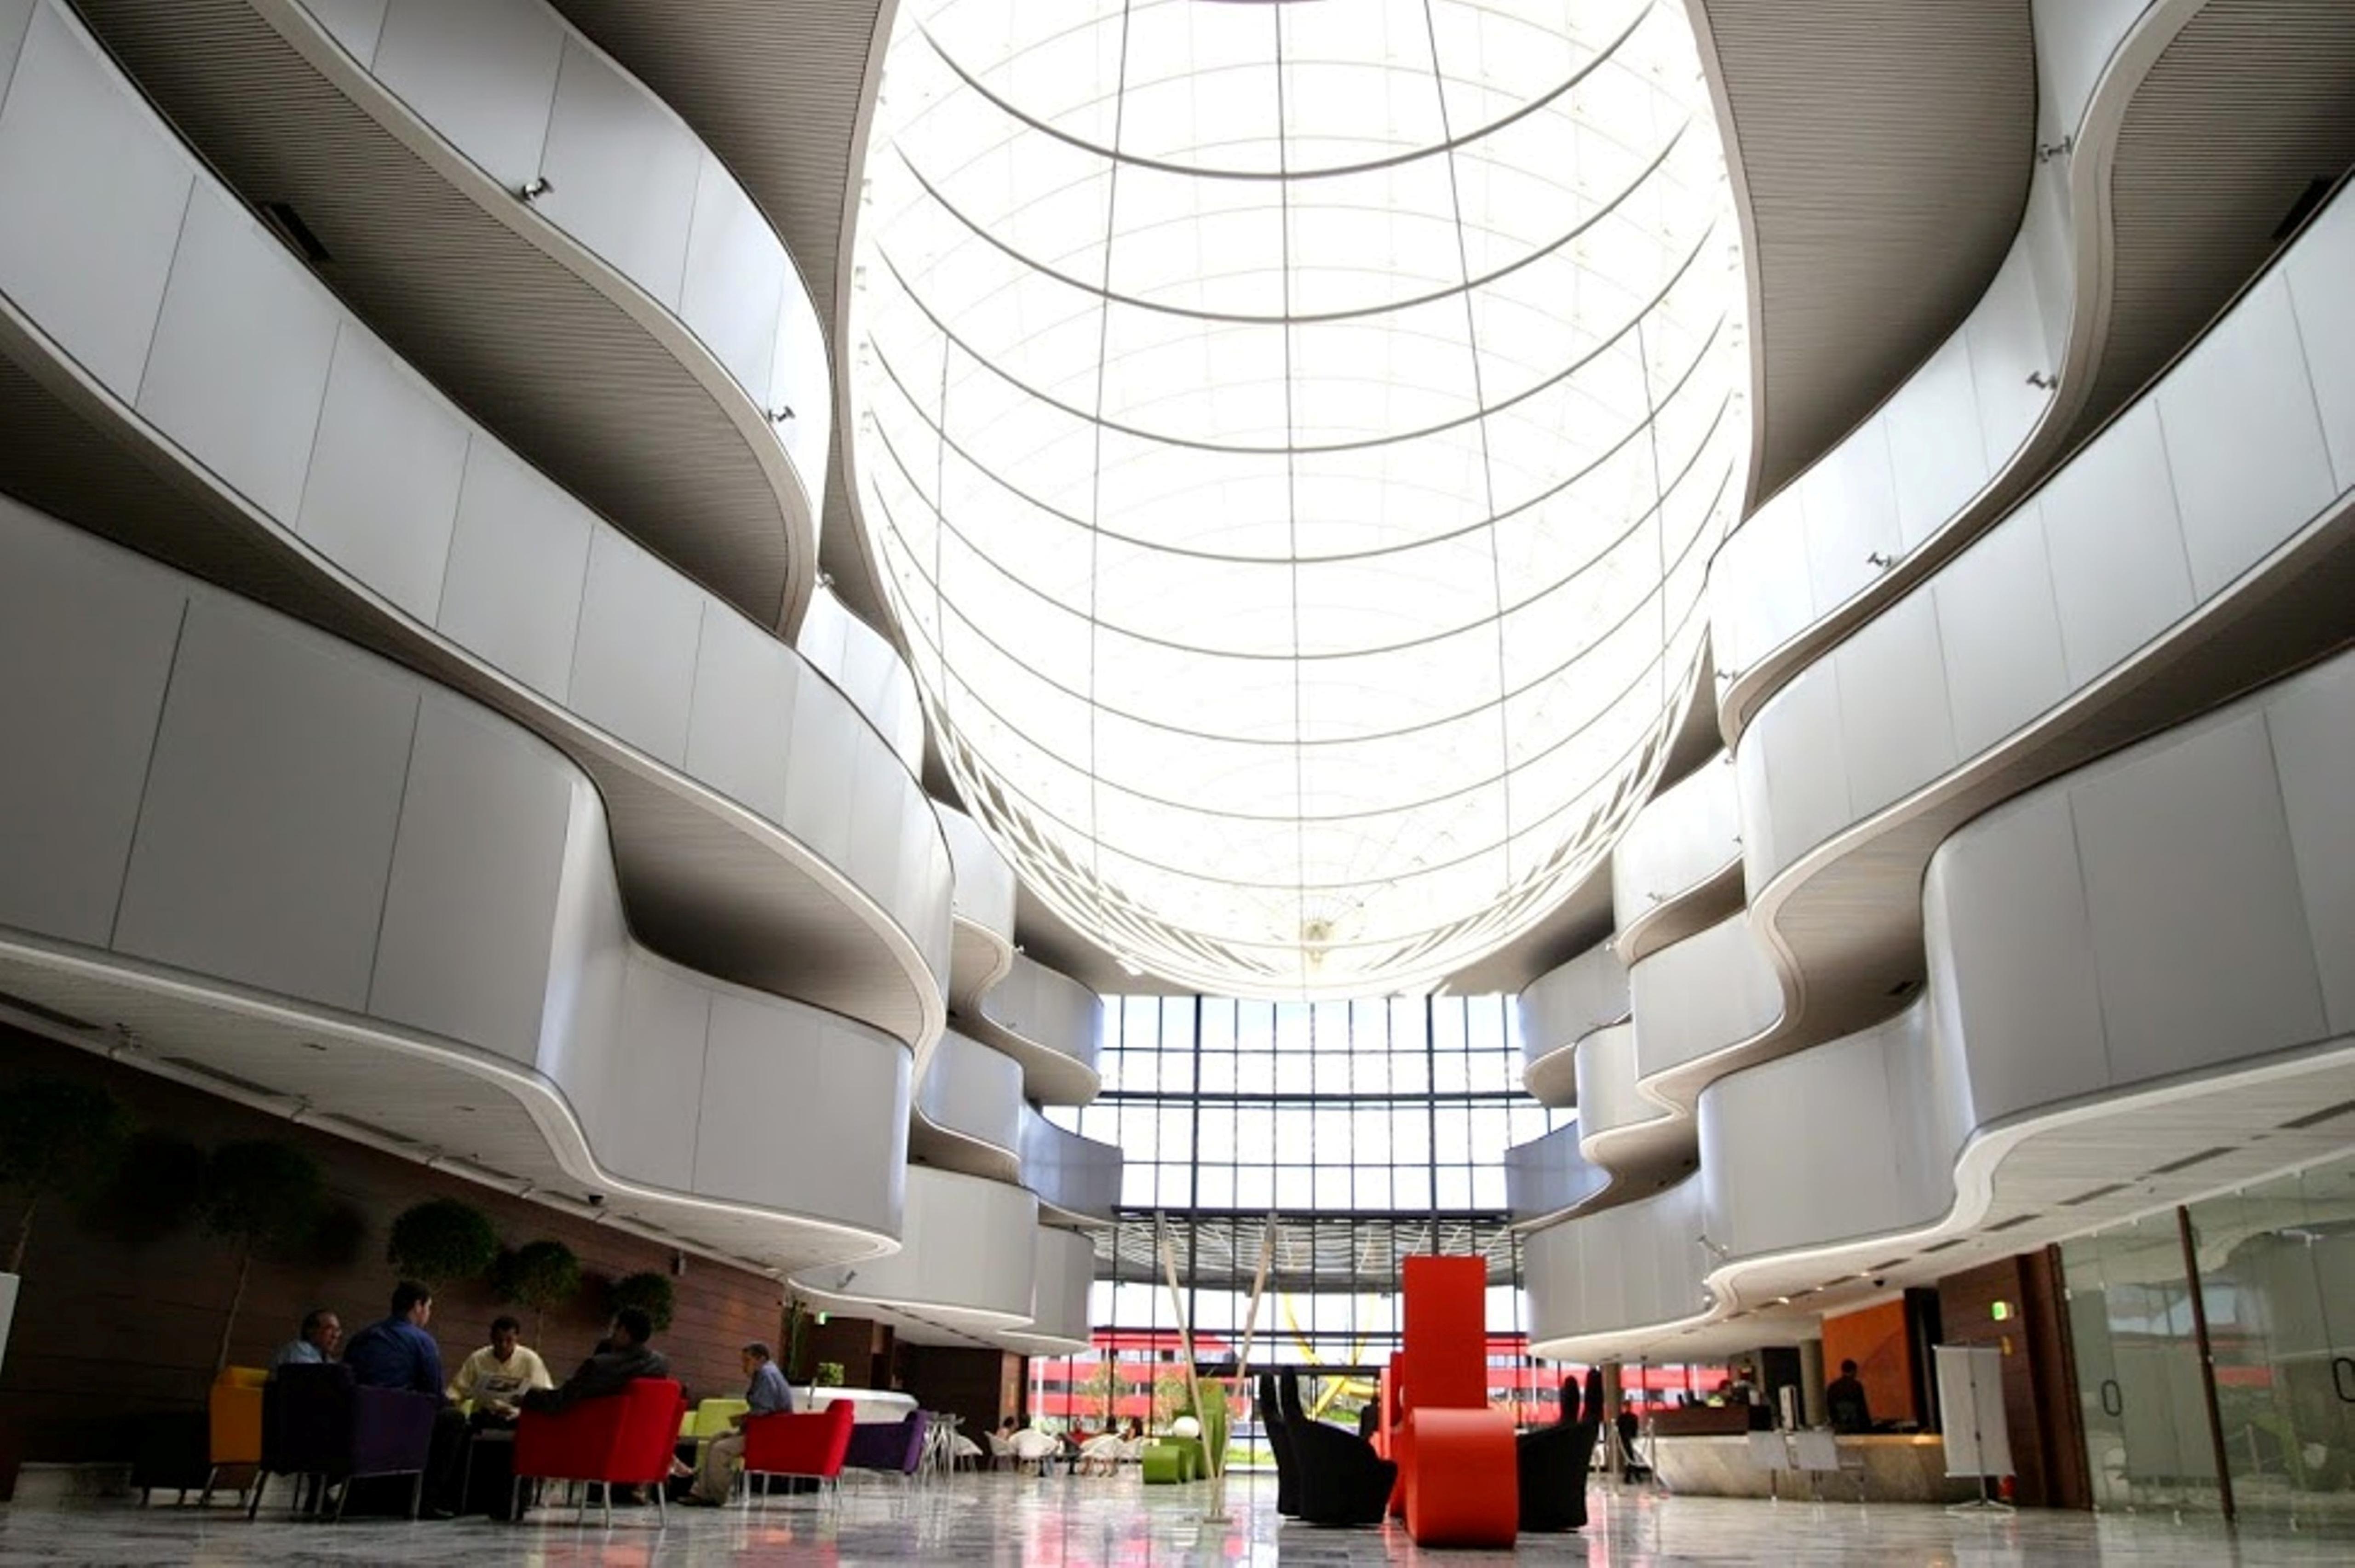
(762, 823)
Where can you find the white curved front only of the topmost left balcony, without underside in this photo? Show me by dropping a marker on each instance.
(524, 95)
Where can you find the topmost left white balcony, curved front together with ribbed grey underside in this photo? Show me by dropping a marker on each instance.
(545, 239)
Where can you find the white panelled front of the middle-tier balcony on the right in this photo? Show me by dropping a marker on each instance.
(2241, 449)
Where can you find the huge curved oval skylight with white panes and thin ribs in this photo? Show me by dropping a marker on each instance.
(1294, 439)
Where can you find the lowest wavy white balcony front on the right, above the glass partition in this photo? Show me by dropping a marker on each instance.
(2144, 926)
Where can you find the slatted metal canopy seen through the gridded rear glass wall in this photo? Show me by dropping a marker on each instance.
(1348, 1254)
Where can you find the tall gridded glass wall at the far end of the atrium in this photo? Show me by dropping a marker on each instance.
(1362, 1134)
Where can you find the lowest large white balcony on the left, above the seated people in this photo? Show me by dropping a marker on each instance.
(293, 865)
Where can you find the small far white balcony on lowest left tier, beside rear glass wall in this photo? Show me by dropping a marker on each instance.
(967, 1258)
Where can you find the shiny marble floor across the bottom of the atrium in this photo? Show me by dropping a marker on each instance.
(1016, 1522)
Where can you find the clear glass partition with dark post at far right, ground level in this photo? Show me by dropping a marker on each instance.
(2276, 1273)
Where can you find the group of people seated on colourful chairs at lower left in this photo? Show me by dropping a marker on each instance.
(505, 1378)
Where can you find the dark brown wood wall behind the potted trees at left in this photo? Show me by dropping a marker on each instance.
(110, 1334)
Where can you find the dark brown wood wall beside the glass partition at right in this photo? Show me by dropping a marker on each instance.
(2041, 1407)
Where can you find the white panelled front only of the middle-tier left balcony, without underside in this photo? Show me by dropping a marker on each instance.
(168, 298)
